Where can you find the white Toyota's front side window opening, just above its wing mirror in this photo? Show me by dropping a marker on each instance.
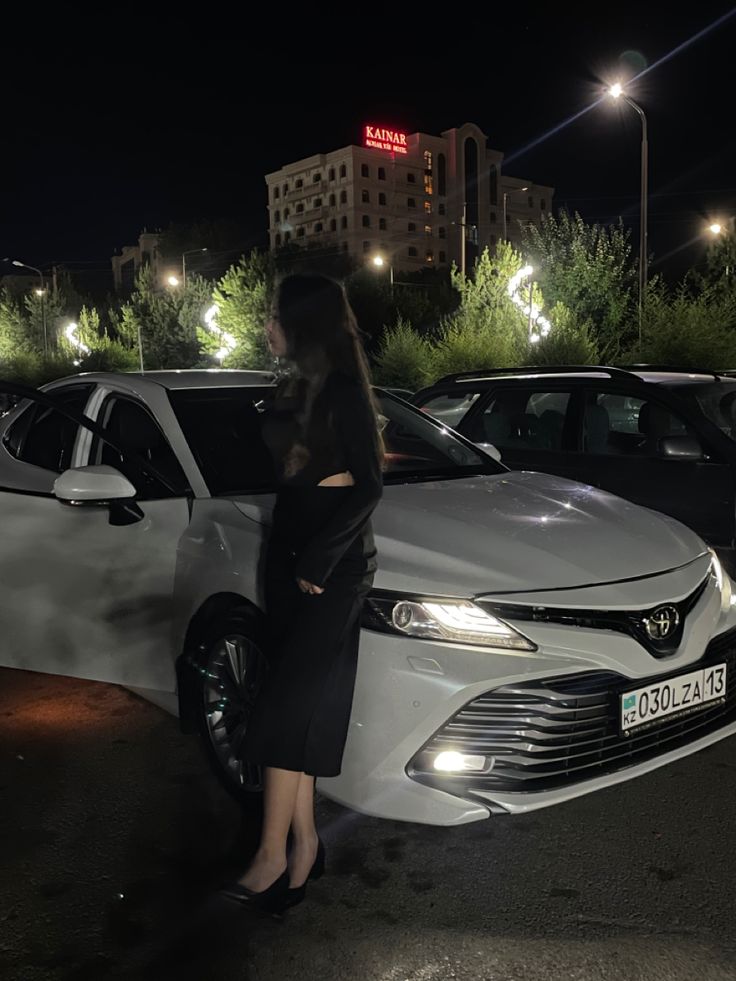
(135, 429)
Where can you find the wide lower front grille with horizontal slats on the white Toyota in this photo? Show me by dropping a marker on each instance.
(560, 731)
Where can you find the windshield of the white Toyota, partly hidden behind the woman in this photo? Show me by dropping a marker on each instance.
(222, 427)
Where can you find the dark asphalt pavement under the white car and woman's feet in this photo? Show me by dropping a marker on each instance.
(113, 837)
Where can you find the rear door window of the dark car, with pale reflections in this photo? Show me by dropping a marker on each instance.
(523, 418)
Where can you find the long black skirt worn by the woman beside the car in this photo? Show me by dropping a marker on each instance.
(300, 720)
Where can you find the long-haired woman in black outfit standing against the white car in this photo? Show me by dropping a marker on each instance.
(323, 433)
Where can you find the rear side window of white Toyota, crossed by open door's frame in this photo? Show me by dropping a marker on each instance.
(44, 437)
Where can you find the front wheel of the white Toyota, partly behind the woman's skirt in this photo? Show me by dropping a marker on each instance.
(232, 668)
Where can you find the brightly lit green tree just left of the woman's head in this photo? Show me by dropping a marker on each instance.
(243, 298)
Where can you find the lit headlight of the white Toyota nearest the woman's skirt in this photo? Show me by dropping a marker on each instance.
(455, 621)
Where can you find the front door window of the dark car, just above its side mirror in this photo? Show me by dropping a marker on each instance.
(628, 425)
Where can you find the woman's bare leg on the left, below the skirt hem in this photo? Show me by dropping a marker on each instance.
(279, 803)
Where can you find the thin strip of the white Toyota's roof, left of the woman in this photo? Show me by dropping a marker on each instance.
(143, 382)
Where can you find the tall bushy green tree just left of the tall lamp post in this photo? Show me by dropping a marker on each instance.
(589, 269)
